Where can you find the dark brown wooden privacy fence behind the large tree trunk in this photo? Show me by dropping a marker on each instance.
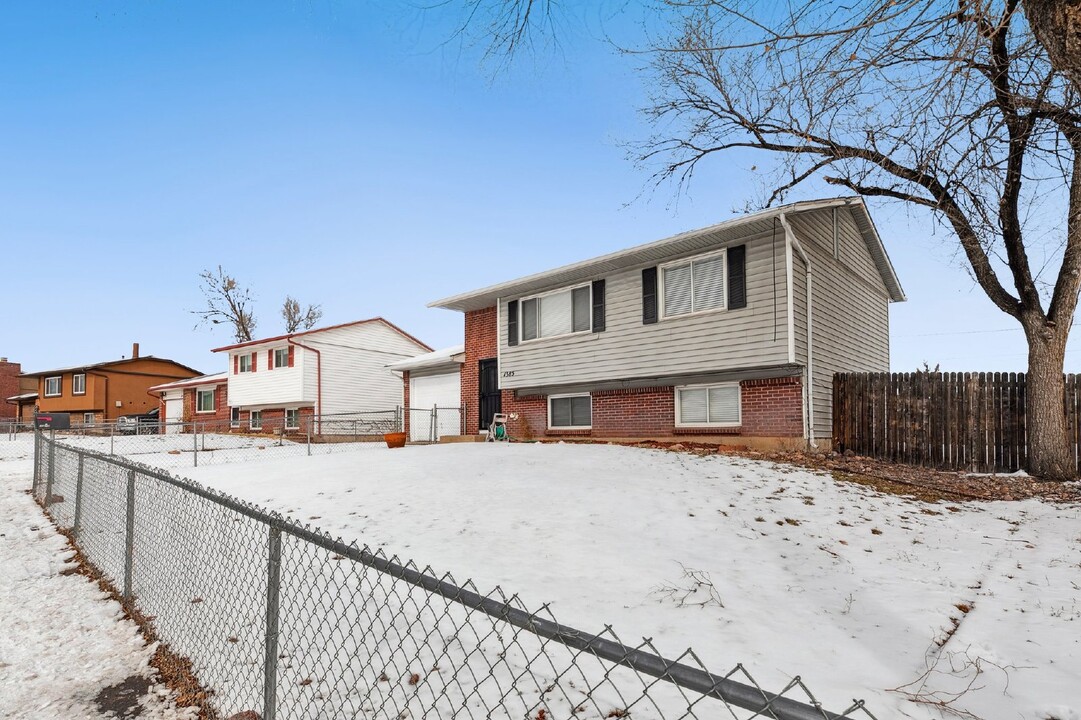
(972, 422)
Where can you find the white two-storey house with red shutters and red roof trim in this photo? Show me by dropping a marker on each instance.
(329, 371)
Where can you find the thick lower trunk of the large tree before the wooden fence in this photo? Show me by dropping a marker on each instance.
(1050, 457)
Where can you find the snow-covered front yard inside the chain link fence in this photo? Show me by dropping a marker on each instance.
(972, 606)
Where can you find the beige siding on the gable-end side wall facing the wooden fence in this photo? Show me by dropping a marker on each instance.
(851, 316)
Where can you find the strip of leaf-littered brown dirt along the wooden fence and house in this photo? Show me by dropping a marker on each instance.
(919, 483)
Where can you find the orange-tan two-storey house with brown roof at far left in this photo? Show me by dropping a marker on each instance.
(102, 392)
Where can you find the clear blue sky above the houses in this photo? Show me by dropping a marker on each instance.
(344, 154)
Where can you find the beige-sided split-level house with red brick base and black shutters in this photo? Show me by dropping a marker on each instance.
(732, 330)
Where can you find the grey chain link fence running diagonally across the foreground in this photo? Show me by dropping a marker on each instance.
(281, 619)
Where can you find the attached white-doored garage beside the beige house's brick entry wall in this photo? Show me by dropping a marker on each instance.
(430, 382)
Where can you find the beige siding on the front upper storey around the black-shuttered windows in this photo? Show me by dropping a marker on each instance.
(726, 340)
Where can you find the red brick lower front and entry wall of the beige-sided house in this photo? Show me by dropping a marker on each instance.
(769, 408)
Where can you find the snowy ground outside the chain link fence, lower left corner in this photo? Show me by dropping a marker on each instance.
(62, 641)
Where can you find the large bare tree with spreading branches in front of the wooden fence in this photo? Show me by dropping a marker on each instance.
(970, 110)
